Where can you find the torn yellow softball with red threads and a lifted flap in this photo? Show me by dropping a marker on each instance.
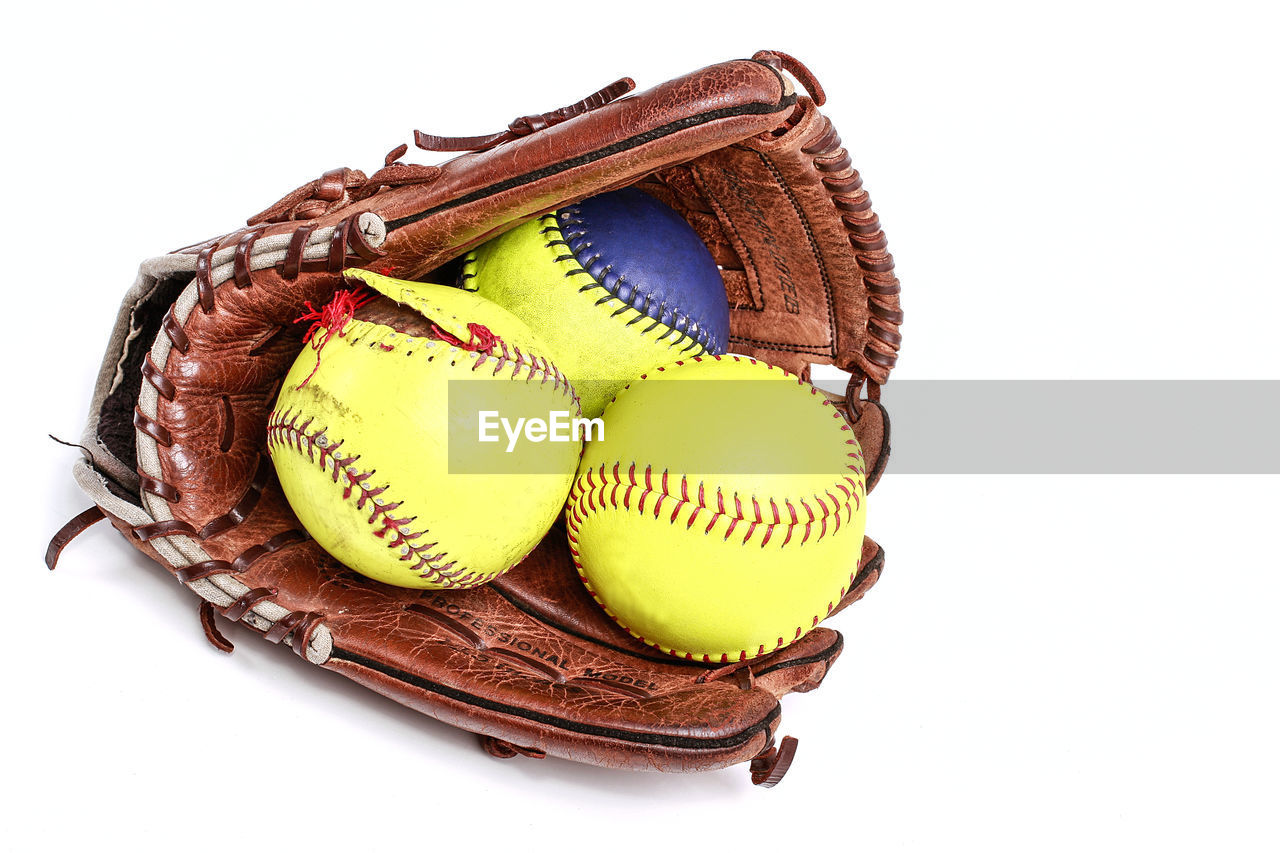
(378, 448)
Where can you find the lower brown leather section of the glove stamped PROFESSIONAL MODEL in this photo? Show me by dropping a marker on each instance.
(529, 660)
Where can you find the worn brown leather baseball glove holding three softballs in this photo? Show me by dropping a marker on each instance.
(176, 441)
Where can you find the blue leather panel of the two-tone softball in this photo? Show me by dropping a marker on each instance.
(641, 252)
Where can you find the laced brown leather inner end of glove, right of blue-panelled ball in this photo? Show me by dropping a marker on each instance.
(806, 263)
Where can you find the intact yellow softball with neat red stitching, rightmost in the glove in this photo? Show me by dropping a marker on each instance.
(723, 516)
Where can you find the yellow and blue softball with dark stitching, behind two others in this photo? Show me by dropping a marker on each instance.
(618, 285)
